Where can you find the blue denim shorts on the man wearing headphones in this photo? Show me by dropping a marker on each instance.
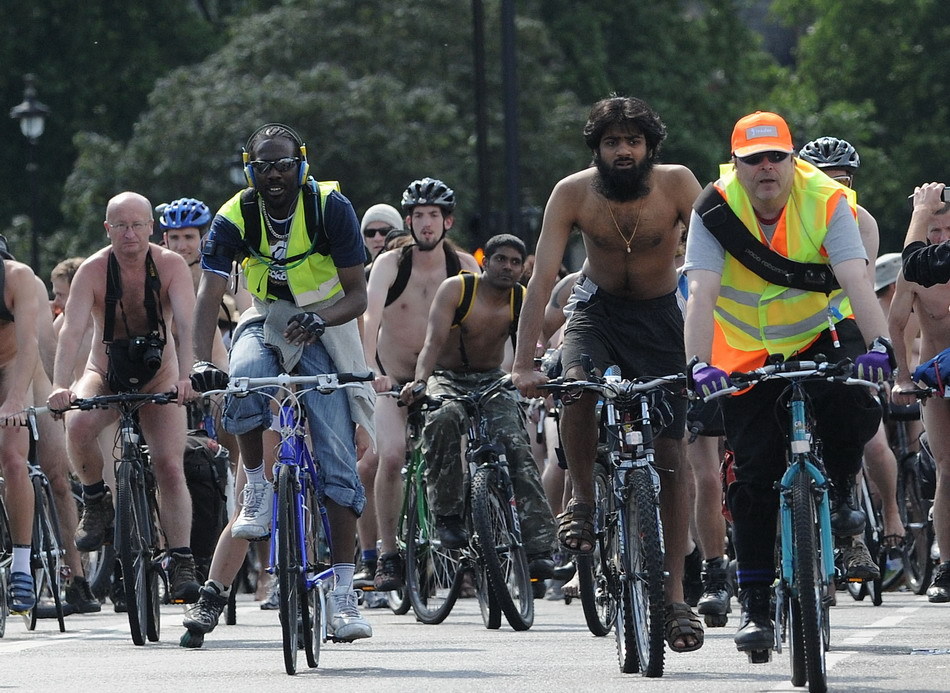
(331, 426)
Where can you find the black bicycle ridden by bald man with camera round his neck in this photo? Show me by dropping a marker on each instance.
(138, 540)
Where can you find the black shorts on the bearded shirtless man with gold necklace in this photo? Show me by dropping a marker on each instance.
(644, 338)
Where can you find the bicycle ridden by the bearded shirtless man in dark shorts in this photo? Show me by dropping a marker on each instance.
(627, 580)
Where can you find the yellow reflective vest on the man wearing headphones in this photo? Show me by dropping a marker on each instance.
(314, 279)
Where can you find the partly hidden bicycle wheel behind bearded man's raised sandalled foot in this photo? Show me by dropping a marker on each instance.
(599, 608)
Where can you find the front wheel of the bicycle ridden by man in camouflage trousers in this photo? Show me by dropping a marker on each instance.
(499, 546)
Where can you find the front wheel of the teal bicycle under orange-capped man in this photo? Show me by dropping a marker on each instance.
(809, 579)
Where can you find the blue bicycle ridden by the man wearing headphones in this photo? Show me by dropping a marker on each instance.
(300, 545)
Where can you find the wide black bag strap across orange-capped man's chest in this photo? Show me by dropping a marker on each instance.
(775, 268)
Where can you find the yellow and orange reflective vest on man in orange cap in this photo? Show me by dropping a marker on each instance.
(755, 318)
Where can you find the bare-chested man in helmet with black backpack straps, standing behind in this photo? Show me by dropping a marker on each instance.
(401, 288)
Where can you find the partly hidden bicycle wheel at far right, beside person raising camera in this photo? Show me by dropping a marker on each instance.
(918, 530)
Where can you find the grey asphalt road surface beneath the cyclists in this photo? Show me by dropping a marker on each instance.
(902, 645)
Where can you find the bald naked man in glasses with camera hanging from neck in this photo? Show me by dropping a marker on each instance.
(129, 224)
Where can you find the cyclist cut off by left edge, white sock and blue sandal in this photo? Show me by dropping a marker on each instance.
(19, 355)
